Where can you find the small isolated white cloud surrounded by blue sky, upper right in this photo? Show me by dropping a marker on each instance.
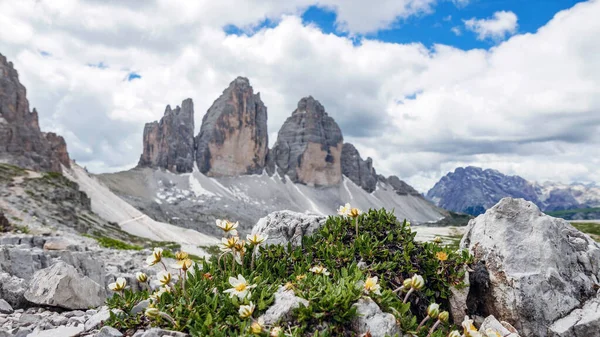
(501, 24)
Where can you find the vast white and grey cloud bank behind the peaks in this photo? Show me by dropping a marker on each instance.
(524, 107)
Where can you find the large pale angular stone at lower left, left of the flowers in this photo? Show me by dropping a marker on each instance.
(61, 286)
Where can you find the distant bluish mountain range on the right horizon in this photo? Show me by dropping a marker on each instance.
(473, 190)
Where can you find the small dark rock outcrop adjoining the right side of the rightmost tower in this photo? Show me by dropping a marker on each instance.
(360, 171)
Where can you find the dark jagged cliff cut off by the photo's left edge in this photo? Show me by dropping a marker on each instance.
(21, 141)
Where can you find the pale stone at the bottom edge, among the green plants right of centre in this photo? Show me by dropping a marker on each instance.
(370, 319)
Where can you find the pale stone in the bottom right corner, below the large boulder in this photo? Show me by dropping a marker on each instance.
(580, 322)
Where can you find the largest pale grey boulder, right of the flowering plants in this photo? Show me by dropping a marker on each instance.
(532, 269)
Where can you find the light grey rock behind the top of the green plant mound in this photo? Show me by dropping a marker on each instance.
(287, 226)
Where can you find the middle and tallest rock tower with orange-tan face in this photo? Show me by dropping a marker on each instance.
(233, 138)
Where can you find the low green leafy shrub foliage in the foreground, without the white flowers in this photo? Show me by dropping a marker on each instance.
(384, 248)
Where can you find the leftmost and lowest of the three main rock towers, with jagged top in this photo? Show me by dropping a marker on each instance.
(169, 144)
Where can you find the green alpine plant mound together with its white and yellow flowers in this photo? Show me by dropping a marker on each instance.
(353, 258)
